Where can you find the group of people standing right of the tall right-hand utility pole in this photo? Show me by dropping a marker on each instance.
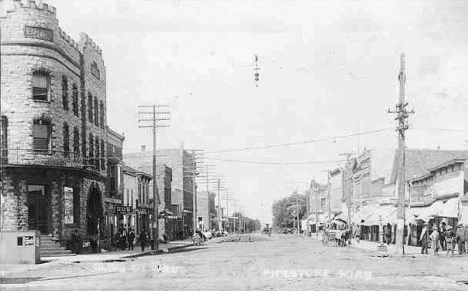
(444, 237)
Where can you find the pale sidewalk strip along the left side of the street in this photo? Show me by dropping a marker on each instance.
(121, 255)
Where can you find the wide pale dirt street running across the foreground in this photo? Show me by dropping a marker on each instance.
(282, 262)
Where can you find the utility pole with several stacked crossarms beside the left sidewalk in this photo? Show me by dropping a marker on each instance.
(154, 113)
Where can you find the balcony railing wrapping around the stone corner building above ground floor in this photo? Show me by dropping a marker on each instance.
(53, 158)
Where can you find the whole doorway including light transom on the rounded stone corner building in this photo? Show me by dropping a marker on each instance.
(38, 209)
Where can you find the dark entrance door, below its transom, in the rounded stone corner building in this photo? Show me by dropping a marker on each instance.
(38, 207)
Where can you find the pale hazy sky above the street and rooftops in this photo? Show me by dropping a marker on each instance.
(328, 69)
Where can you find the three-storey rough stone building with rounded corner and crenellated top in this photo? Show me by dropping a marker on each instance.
(54, 124)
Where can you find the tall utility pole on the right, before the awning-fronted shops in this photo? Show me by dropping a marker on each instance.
(402, 118)
